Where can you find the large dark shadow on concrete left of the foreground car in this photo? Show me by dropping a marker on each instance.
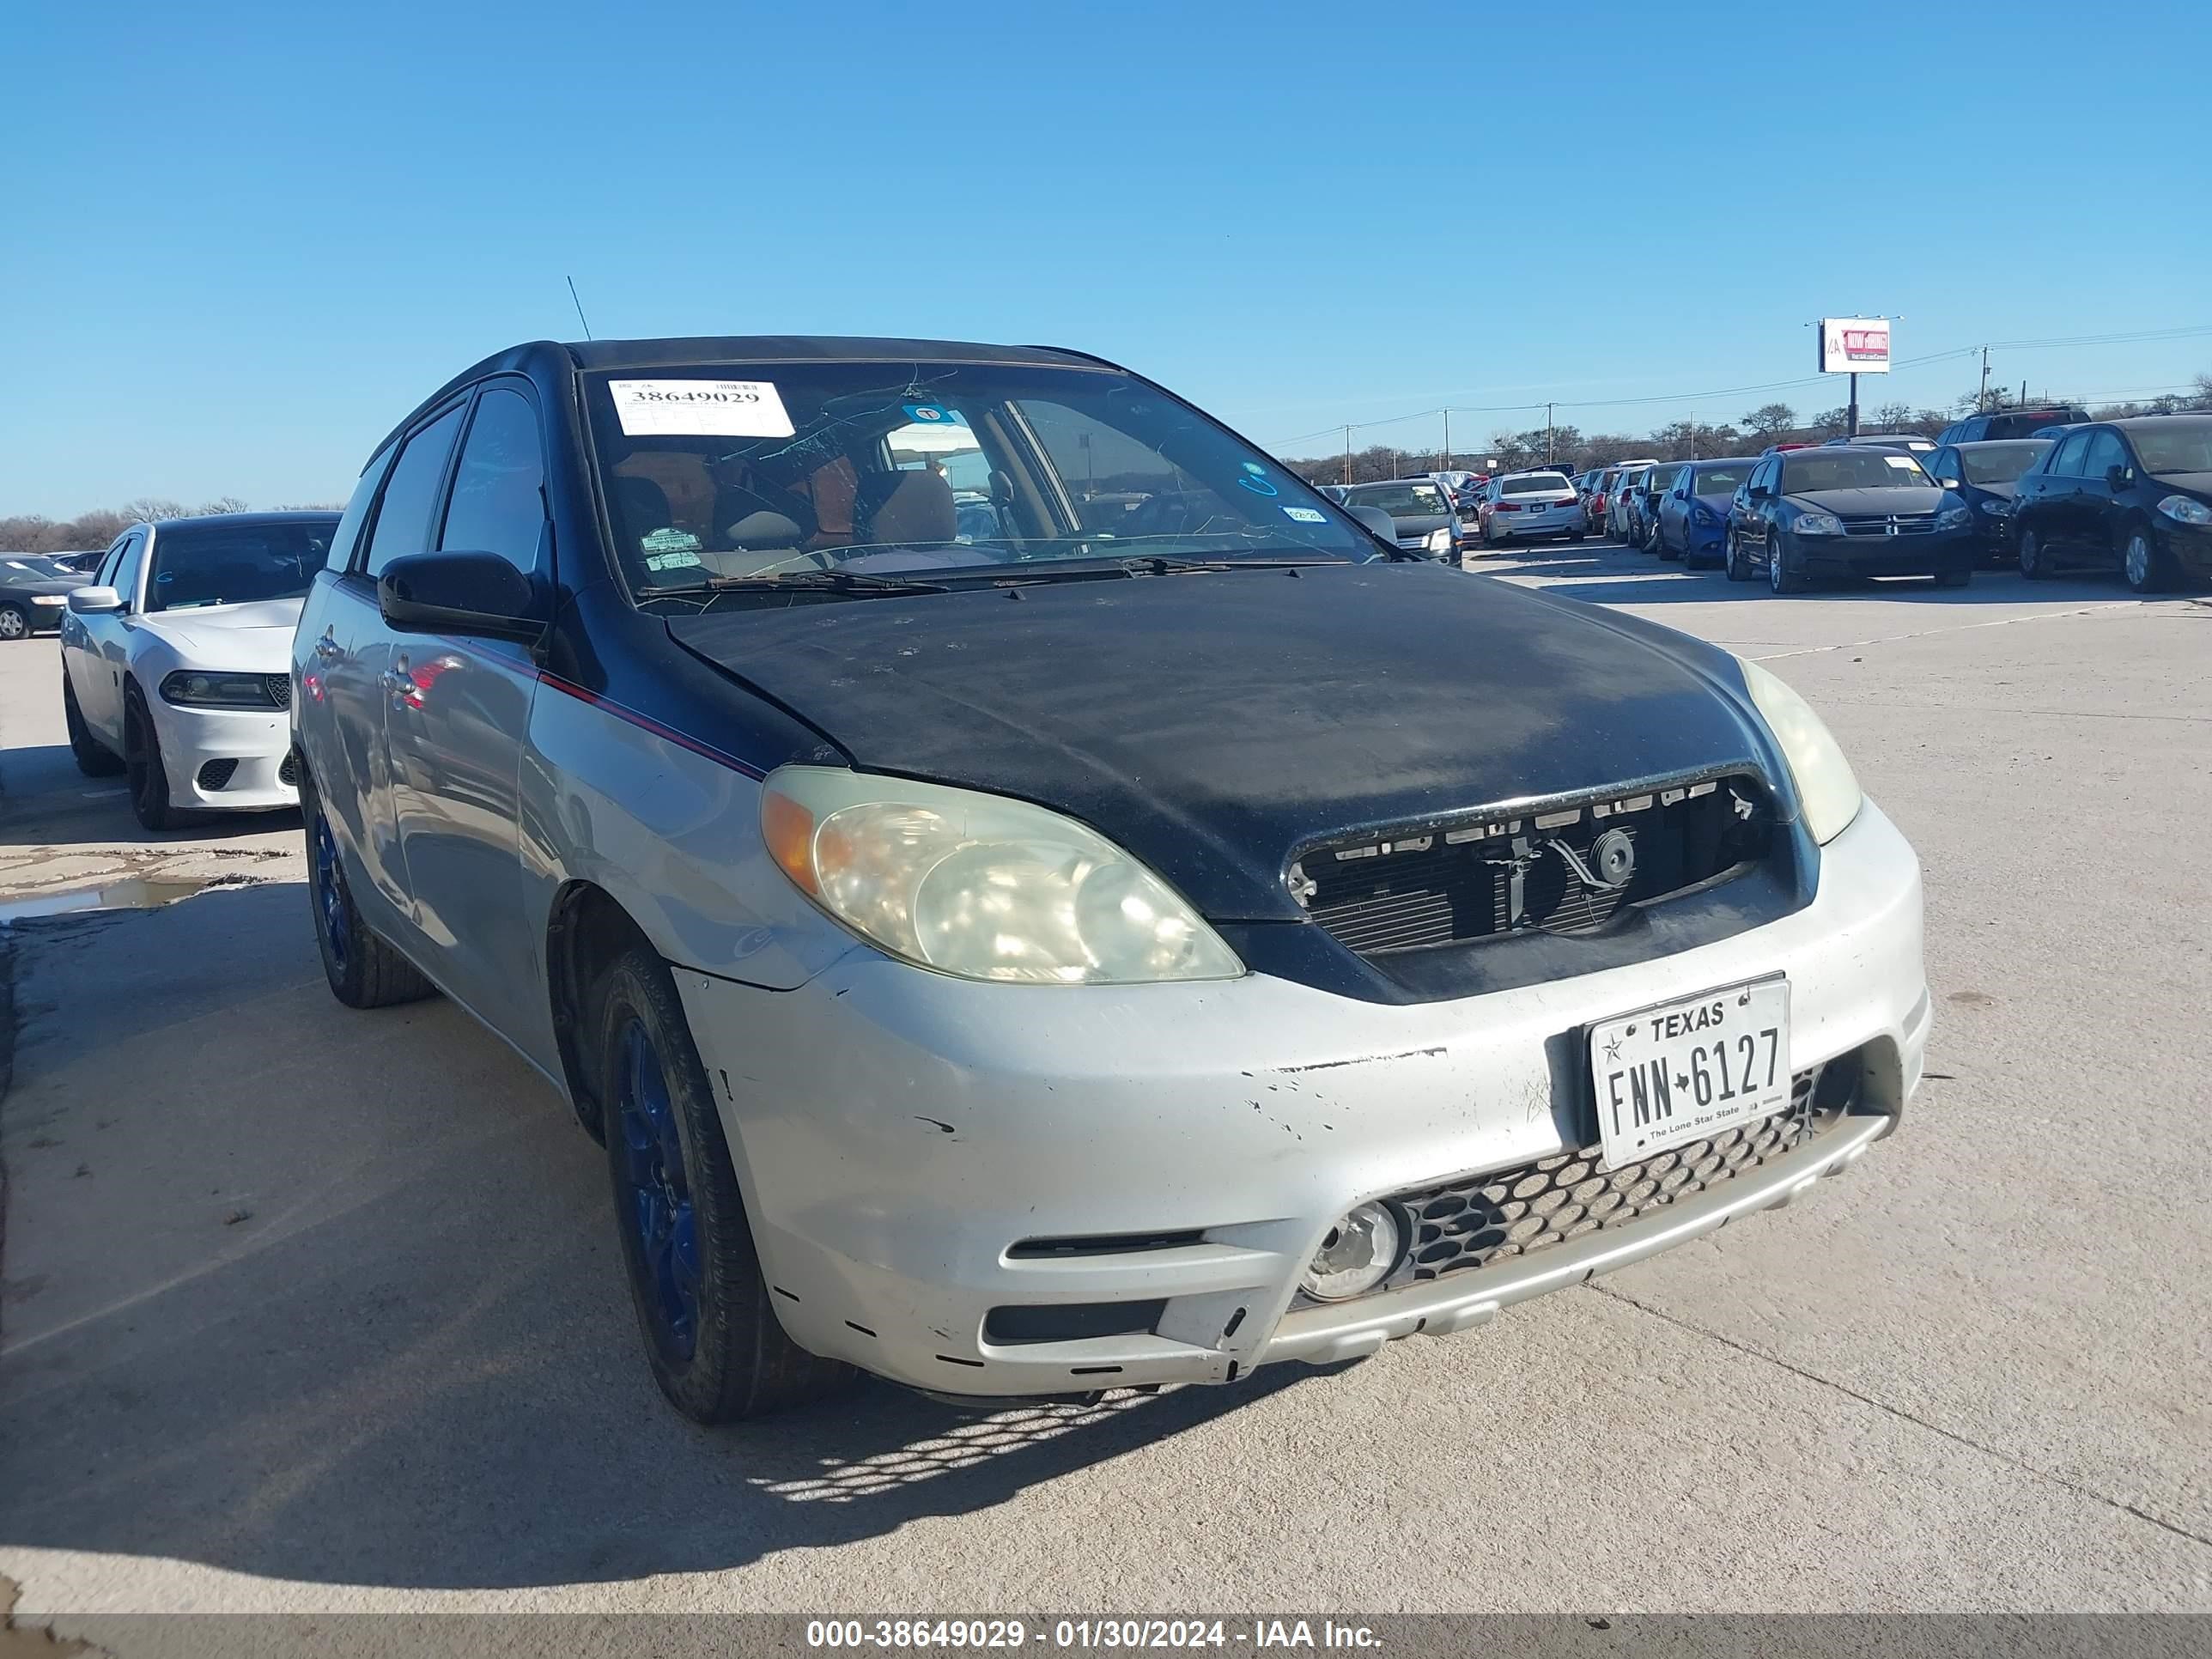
(364, 1322)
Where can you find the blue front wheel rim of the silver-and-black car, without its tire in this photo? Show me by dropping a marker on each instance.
(656, 1196)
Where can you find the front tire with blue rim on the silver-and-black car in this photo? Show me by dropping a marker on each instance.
(705, 1308)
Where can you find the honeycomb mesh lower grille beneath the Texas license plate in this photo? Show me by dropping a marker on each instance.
(1512, 1213)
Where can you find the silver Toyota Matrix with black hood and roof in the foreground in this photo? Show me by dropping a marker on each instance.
(1036, 899)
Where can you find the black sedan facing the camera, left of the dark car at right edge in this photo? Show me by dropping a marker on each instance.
(1846, 512)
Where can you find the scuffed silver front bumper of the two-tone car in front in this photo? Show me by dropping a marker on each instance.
(901, 1136)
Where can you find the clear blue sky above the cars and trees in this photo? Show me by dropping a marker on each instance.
(242, 240)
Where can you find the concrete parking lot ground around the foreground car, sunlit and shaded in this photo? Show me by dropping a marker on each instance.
(306, 1308)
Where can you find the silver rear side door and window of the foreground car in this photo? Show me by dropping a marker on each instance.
(355, 654)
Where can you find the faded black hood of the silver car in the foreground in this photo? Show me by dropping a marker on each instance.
(1213, 724)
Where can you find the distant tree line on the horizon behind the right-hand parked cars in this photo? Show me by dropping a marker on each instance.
(1693, 441)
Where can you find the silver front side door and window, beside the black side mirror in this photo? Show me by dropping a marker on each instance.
(457, 718)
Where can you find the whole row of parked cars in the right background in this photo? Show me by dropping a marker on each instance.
(2036, 488)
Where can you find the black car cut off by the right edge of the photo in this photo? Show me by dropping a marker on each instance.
(2131, 497)
